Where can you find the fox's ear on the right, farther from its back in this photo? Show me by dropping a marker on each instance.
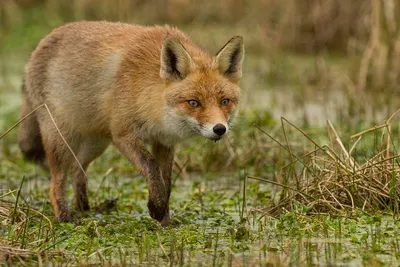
(230, 58)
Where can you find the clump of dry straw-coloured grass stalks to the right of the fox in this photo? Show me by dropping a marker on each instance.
(332, 179)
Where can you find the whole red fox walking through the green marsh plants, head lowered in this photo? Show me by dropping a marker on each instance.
(130, 85)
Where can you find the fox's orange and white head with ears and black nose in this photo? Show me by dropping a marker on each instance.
(202, 92)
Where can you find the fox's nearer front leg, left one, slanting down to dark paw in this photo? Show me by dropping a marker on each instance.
(134, 149)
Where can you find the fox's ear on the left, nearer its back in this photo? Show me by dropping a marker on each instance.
(175, 60)
